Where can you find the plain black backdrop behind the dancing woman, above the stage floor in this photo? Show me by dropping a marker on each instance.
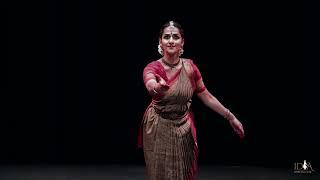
(72, 90)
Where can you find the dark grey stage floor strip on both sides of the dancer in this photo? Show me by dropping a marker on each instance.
(121, 172)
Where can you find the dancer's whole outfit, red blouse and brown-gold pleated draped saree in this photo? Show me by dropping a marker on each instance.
(167, 133)
